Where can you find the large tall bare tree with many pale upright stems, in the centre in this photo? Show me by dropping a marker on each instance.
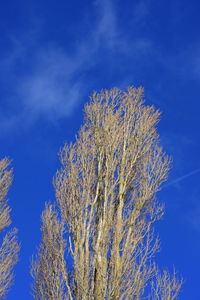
(106, 195)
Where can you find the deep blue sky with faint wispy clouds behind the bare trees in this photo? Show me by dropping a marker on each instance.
(53, 54)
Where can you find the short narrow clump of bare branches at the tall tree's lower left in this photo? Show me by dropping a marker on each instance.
(49, 268)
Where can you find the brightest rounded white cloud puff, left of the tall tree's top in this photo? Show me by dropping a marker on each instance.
(50, 89)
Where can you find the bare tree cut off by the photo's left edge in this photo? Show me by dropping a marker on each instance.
(9, 248)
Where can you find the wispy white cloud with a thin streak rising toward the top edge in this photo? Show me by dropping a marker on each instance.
(55, 86)
